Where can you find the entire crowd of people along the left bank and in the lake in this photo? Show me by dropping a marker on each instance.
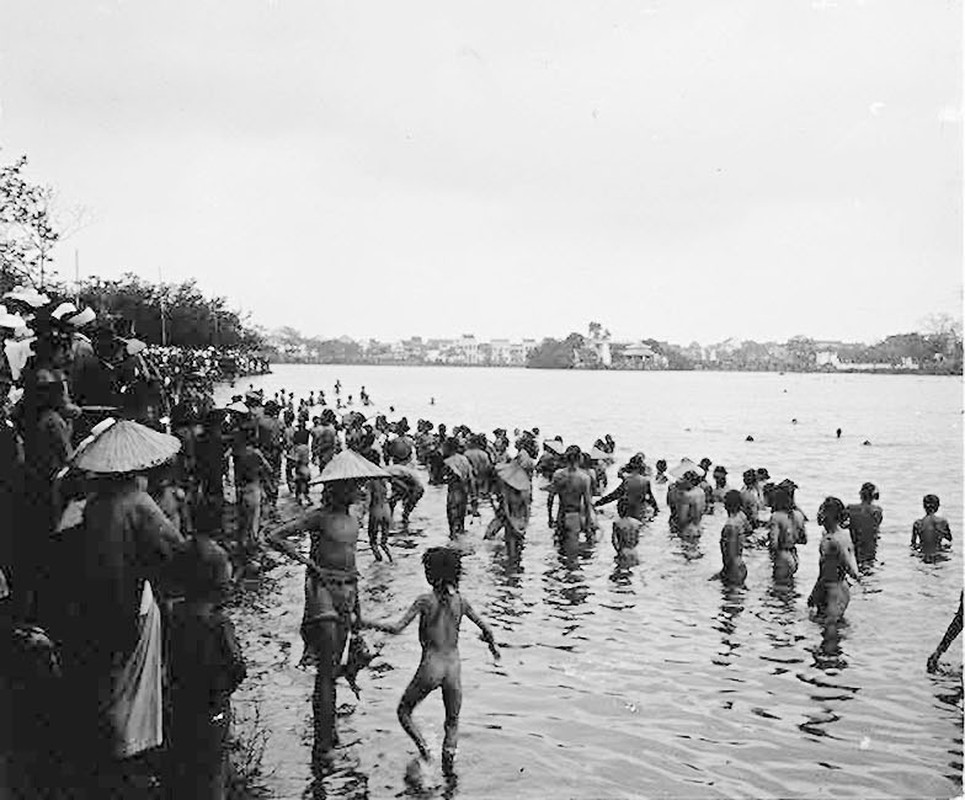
(129, 500)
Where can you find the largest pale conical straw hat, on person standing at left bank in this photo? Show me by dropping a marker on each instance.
(126, 446)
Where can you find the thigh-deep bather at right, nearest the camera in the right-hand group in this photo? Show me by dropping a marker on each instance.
(831, 594)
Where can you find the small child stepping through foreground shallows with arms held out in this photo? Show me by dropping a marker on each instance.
(440, 613)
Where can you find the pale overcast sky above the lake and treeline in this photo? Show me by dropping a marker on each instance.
(682, 170)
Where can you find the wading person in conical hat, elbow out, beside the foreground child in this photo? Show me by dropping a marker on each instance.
(331, 600)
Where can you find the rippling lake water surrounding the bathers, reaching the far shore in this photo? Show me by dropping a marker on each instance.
(653, 681)
